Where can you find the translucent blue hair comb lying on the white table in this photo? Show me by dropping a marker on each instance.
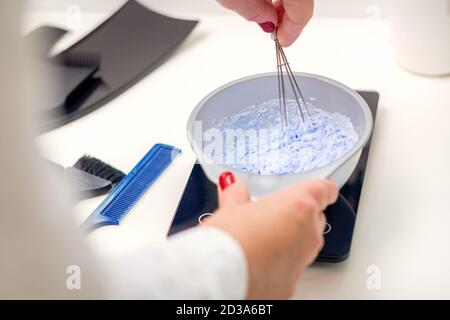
(125, 195)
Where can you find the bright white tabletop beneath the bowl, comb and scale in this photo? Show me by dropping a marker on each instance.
(404, 215)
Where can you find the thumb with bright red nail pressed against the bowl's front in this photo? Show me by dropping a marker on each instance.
(231, 190)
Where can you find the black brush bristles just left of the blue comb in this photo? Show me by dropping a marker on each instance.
(100, 169)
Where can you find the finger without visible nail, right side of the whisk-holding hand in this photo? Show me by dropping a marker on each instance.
(296, 16)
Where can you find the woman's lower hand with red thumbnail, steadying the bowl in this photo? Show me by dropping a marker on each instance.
(280, 234)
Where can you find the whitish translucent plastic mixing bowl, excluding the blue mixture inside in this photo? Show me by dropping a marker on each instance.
(229, 99)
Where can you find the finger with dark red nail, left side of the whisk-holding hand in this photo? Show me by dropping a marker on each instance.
(259, 11)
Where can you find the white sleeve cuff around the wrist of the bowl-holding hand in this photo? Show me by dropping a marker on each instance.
(200, 263)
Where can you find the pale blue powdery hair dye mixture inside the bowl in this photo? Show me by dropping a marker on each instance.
(320, 139)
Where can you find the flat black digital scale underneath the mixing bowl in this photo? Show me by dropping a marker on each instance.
(200, 197)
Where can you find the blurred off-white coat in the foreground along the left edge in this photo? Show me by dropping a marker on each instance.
(38, 239)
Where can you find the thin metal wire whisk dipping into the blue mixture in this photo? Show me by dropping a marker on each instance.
(282, 62)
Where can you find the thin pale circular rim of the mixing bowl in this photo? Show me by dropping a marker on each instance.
(331, 167)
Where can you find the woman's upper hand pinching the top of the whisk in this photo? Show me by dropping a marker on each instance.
(291, 16)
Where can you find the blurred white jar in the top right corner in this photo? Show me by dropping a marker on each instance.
(420, 34)
